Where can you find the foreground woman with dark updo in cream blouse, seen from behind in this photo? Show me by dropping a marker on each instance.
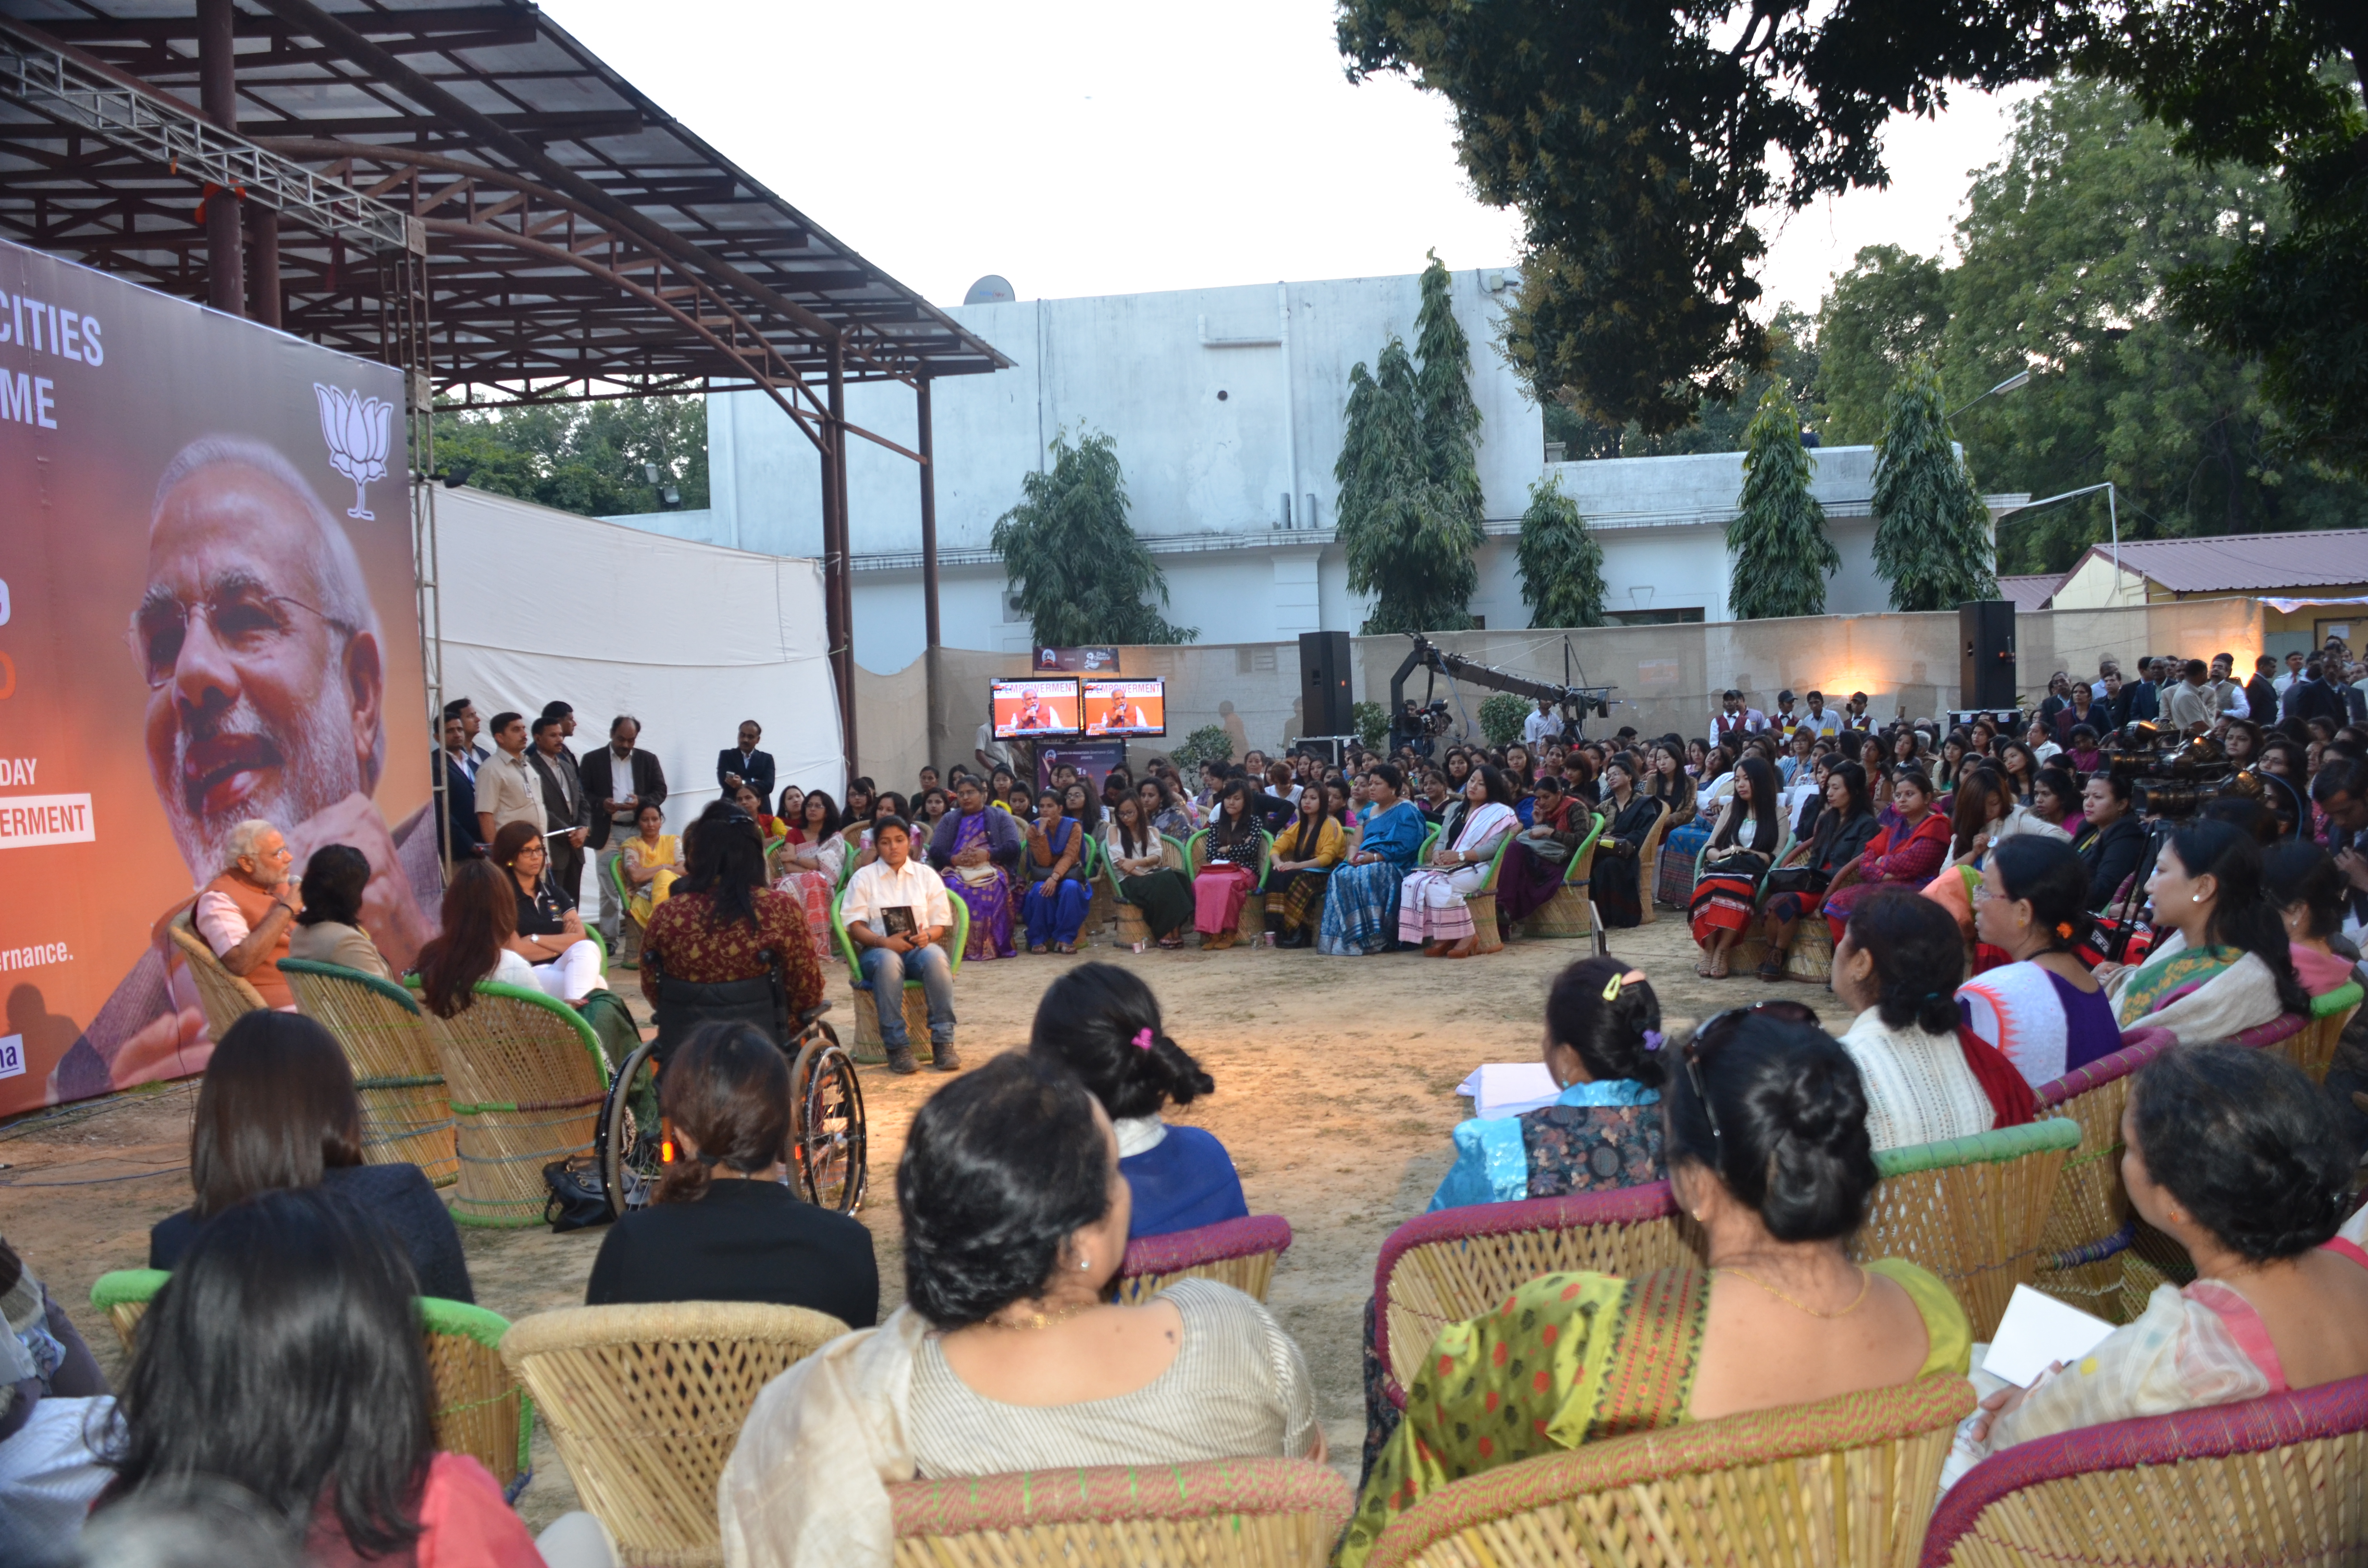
(1005, 1356)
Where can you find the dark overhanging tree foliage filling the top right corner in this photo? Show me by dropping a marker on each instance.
(1642, 141)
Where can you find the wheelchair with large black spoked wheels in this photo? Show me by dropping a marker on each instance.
(828, 1138)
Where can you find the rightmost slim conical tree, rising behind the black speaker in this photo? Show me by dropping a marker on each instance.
(1931, 525)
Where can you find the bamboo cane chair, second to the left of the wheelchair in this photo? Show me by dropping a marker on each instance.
(406, 1110)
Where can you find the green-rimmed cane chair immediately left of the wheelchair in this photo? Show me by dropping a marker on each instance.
(527, 1081)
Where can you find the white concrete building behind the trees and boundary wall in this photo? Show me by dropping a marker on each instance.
(1228, 413)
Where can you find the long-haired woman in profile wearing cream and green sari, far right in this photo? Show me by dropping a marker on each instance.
(2220, 963)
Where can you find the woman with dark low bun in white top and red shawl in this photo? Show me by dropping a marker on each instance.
(1898, 970)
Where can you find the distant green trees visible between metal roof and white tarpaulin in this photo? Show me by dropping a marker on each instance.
(588, 458)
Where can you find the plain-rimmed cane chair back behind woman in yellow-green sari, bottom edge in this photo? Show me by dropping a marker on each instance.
(1841, 1484)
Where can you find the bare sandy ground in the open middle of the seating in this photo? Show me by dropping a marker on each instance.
(1334, 1095)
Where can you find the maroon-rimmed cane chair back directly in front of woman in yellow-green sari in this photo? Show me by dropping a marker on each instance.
(1458, 1264)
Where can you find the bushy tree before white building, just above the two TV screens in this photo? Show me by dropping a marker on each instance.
(1083, 574)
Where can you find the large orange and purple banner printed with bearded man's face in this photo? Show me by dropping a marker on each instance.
(205, 617)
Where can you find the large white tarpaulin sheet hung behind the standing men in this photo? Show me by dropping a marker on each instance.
(546, 605)
